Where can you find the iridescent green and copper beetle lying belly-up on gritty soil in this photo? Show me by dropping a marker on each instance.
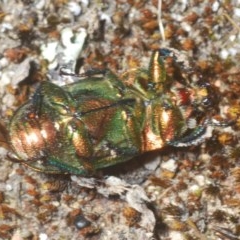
(101, 121)
